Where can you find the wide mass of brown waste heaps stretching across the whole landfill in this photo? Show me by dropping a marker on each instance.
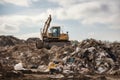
(89, 56)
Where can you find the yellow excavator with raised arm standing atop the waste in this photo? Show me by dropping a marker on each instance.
(52, 36)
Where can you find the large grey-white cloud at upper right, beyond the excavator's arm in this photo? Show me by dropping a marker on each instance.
(90, 12)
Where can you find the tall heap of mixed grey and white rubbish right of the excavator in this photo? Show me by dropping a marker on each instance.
(93, 56)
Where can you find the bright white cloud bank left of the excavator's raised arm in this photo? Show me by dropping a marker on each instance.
(14, 22)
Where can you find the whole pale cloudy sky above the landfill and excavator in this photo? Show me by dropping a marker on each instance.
(98, 19)
